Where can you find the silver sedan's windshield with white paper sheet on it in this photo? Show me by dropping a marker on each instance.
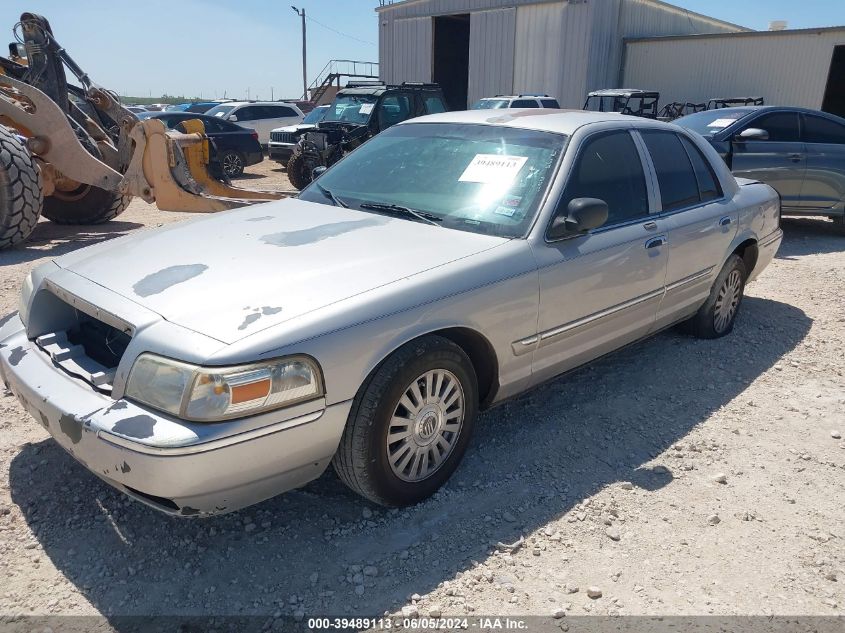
(478, 178)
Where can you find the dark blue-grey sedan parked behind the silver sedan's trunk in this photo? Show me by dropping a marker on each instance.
(799, 152)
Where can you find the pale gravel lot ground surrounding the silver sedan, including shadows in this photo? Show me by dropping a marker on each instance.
(676, 477)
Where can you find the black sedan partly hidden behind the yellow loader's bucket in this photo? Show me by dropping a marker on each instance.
(234, 147)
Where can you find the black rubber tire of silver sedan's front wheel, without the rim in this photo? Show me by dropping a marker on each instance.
(362, 461)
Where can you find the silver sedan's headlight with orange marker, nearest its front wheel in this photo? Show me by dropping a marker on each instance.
(208, 394)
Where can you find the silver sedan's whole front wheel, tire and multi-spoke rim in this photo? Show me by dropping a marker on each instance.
(410, 424)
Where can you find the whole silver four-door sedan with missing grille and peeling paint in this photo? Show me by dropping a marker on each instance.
(450, 263)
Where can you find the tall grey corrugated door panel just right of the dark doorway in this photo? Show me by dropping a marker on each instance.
(491, 52)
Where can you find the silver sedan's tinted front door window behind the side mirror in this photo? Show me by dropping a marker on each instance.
(608, 167)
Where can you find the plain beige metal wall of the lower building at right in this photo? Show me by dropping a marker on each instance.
(785, 68)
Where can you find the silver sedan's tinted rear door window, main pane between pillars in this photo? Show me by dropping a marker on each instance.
(675, 175)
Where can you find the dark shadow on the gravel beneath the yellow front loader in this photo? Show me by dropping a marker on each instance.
(64, 238)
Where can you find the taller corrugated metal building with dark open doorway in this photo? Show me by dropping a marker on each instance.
(478, 48)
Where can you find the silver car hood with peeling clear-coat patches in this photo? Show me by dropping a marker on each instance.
(235, 273)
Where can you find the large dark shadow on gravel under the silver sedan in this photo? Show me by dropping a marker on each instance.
(532, 460)
